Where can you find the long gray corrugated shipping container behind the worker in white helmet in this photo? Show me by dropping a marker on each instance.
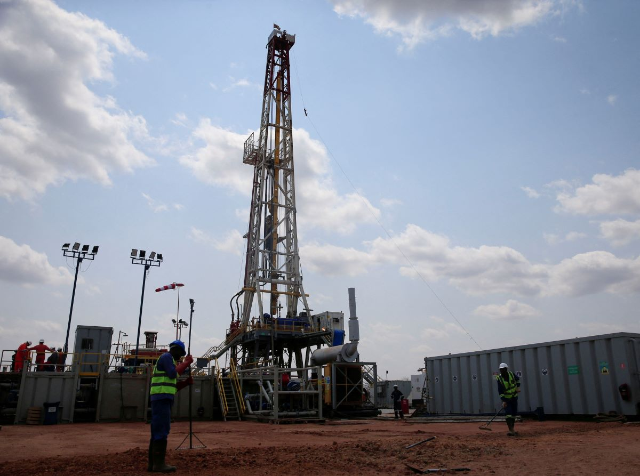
(570, 377)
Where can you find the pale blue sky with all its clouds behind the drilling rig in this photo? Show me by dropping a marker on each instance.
(471, 168)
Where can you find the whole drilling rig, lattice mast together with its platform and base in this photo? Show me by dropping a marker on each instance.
(281, 338)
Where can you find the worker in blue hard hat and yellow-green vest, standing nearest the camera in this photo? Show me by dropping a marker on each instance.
(164, 385)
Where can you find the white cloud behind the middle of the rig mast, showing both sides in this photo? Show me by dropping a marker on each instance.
(219, 162)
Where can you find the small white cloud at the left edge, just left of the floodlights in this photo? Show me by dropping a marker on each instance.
(20, 264)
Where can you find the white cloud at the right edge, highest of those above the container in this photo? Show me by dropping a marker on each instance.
(606, 195)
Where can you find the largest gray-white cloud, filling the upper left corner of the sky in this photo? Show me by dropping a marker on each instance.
(53, 128)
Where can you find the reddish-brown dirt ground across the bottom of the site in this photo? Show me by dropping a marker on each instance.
(337, 447)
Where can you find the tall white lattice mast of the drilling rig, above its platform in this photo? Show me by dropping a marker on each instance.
(273, 265)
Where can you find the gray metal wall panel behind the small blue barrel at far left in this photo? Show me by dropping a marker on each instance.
(40, 387)
